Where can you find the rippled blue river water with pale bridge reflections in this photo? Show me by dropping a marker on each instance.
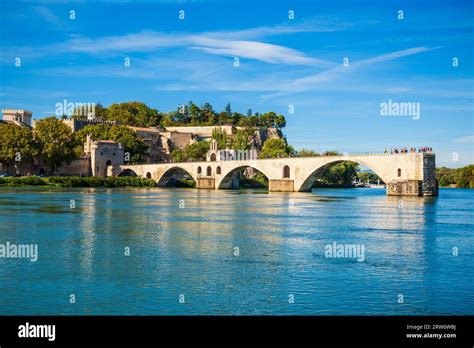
(249, 252)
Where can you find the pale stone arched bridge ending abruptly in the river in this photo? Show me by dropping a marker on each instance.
(412, 174)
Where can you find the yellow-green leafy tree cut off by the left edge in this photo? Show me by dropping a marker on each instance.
(16, 144)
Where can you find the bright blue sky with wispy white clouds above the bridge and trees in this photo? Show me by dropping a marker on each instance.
(282, 62)
